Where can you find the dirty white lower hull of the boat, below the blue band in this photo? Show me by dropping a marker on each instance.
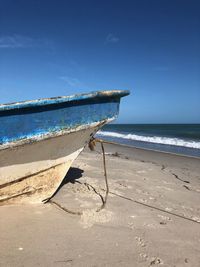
(35, 170)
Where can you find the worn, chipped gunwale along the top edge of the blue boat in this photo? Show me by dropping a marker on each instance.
(64, 99)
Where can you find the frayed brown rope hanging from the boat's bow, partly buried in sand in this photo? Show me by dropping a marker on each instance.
(91, 145)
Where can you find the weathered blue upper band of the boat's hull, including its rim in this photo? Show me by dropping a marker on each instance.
(30, 119)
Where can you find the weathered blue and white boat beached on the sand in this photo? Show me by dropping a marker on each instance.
(40, 139)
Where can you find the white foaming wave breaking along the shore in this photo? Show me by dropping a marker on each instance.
(153, 139)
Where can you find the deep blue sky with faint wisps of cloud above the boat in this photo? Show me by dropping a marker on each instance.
(61, 47)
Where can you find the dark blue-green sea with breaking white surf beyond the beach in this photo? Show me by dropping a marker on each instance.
(181, 139)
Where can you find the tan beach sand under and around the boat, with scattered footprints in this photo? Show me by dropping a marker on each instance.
(152, 217)
